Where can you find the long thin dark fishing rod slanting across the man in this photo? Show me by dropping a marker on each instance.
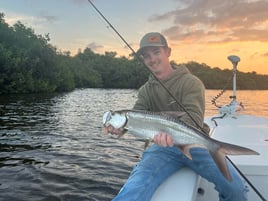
(171, 95)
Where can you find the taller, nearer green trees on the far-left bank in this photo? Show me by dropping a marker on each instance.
(29, 64)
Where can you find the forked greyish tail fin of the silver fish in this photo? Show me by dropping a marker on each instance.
(219, 156)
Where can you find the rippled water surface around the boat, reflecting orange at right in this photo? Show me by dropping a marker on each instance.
(52, 147)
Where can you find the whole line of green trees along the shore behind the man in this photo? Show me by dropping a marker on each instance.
(30, 64)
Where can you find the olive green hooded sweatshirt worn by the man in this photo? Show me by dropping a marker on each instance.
(187, 88)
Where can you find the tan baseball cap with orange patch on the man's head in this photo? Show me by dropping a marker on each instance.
(152, 39)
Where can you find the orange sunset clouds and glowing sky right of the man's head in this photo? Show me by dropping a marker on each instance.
(209, 30)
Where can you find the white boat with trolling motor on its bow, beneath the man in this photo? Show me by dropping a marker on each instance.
(232, 126)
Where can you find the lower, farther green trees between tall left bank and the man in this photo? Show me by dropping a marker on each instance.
(114, 72)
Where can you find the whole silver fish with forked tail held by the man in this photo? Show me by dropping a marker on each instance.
(146, 124)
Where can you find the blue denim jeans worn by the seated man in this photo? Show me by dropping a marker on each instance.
(158, 163)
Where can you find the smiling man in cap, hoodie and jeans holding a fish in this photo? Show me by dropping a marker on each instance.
(162, 159)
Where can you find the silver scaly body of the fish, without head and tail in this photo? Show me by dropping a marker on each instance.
(147, 124)
